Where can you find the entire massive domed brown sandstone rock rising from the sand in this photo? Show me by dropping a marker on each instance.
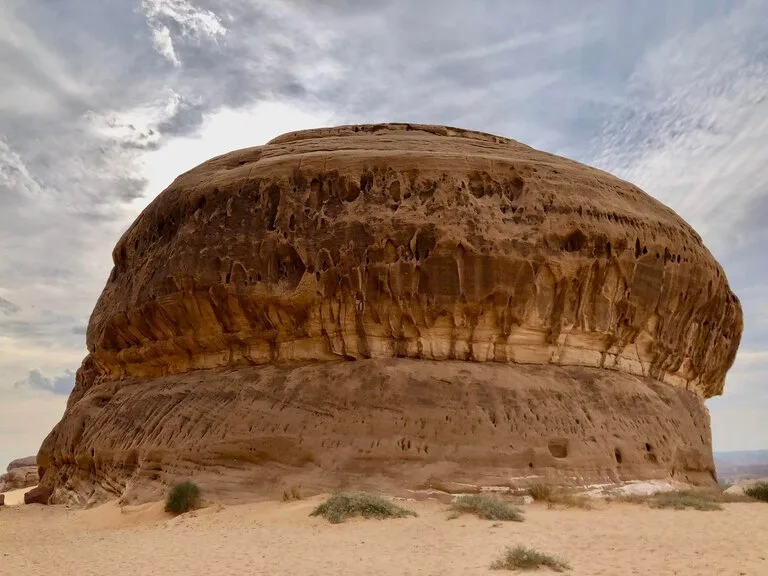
(397, 304)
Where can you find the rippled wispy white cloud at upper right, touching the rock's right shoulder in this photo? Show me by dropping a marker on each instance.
(694, 129)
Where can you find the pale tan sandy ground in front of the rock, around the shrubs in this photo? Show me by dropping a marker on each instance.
(280, 538)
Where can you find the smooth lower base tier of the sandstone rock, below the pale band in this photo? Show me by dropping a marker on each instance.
(377, 424)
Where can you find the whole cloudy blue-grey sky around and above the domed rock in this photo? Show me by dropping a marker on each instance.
(103, 103)
